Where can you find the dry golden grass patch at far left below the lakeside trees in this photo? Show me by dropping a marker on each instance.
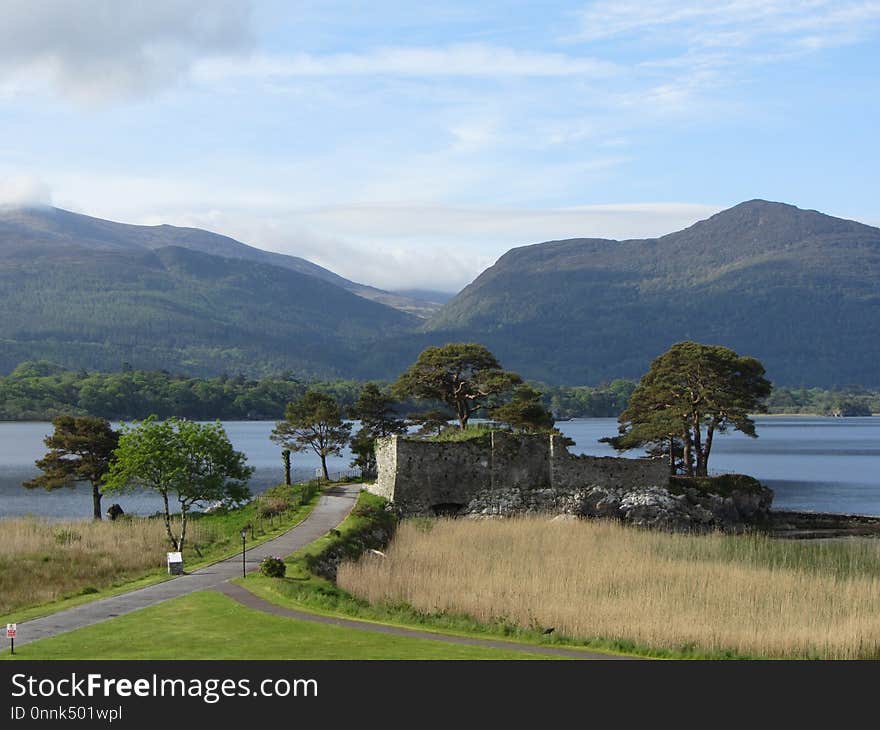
(41, 561)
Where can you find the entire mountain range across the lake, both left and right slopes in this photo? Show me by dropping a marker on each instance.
(796, 288)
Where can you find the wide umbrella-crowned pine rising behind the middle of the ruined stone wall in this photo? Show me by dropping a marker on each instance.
(462, 375)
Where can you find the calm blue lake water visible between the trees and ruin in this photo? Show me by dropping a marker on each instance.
(819, 464)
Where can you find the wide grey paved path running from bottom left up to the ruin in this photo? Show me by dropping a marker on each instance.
(333, 506)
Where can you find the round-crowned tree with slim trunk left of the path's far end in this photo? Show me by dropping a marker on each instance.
(313, 422)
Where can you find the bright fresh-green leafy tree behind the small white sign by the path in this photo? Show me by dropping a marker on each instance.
(183, 461)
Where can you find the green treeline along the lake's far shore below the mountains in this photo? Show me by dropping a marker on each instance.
(39, 391)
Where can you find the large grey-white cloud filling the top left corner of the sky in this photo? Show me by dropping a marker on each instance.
(100, 49)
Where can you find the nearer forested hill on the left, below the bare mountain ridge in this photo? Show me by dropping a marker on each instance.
(181, 310)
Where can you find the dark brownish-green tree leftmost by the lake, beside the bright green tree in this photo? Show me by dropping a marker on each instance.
(80, 450)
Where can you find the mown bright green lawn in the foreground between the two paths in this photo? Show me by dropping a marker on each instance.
(208, 625)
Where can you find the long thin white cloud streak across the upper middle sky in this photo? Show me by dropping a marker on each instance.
(461, 60)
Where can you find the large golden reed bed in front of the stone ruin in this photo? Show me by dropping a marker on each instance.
(748, 594)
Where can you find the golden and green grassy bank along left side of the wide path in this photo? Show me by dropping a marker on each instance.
(47, 566)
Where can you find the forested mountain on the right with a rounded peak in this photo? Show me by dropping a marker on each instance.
(795, 288)
